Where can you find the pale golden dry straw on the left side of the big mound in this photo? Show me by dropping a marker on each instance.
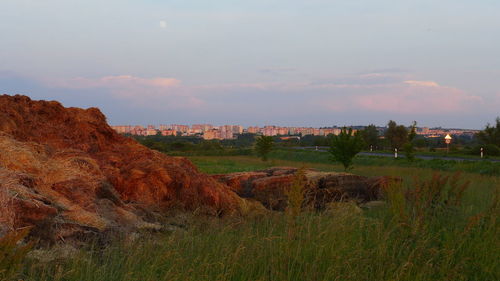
(47, 169)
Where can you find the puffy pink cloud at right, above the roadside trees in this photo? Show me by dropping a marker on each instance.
(388, 93)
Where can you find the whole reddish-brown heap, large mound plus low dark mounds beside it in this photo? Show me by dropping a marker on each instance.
(66, 173)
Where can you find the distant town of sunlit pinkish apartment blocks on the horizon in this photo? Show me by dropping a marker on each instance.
(211, 132)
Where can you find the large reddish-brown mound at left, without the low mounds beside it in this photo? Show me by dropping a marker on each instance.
(67, 168)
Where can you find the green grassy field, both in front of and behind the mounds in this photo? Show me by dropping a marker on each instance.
(400, 240)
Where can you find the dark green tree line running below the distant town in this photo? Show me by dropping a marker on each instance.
(342, 147)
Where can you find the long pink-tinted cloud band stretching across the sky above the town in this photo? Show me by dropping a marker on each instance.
(368, 92)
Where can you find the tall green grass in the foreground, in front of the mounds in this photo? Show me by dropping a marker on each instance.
(341, 244)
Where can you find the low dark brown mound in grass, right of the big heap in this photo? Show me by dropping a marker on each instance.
(269, 186)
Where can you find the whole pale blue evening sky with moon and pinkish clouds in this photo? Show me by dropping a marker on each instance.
(259, 62)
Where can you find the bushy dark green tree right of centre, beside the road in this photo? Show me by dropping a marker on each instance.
(345, 146)
